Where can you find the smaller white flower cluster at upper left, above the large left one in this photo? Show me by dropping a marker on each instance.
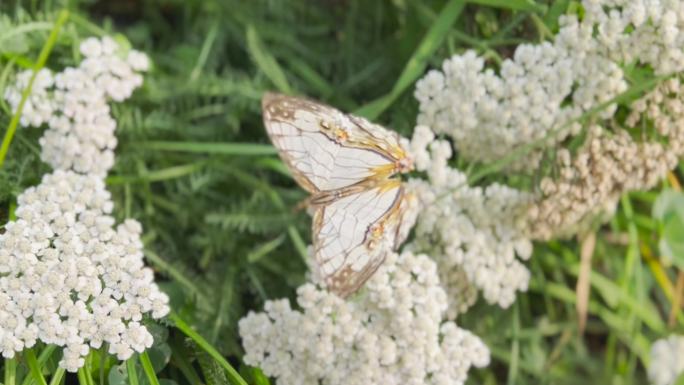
(73, 103)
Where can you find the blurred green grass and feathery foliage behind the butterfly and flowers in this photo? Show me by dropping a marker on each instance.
(195, 167)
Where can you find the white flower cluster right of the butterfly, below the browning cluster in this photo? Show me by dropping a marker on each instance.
(473, 233)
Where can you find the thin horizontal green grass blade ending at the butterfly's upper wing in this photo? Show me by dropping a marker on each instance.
(237, 149)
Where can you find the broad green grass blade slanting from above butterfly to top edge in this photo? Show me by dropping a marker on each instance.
(417, 64)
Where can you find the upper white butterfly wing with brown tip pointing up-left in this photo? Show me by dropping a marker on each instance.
(325, 149)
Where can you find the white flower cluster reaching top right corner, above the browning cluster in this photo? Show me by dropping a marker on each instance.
(539, 92)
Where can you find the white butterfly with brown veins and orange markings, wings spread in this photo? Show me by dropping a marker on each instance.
(346, 163)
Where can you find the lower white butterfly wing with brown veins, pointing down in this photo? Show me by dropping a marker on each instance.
(353, 234)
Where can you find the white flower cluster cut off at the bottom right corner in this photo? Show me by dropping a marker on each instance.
(667, 360)
